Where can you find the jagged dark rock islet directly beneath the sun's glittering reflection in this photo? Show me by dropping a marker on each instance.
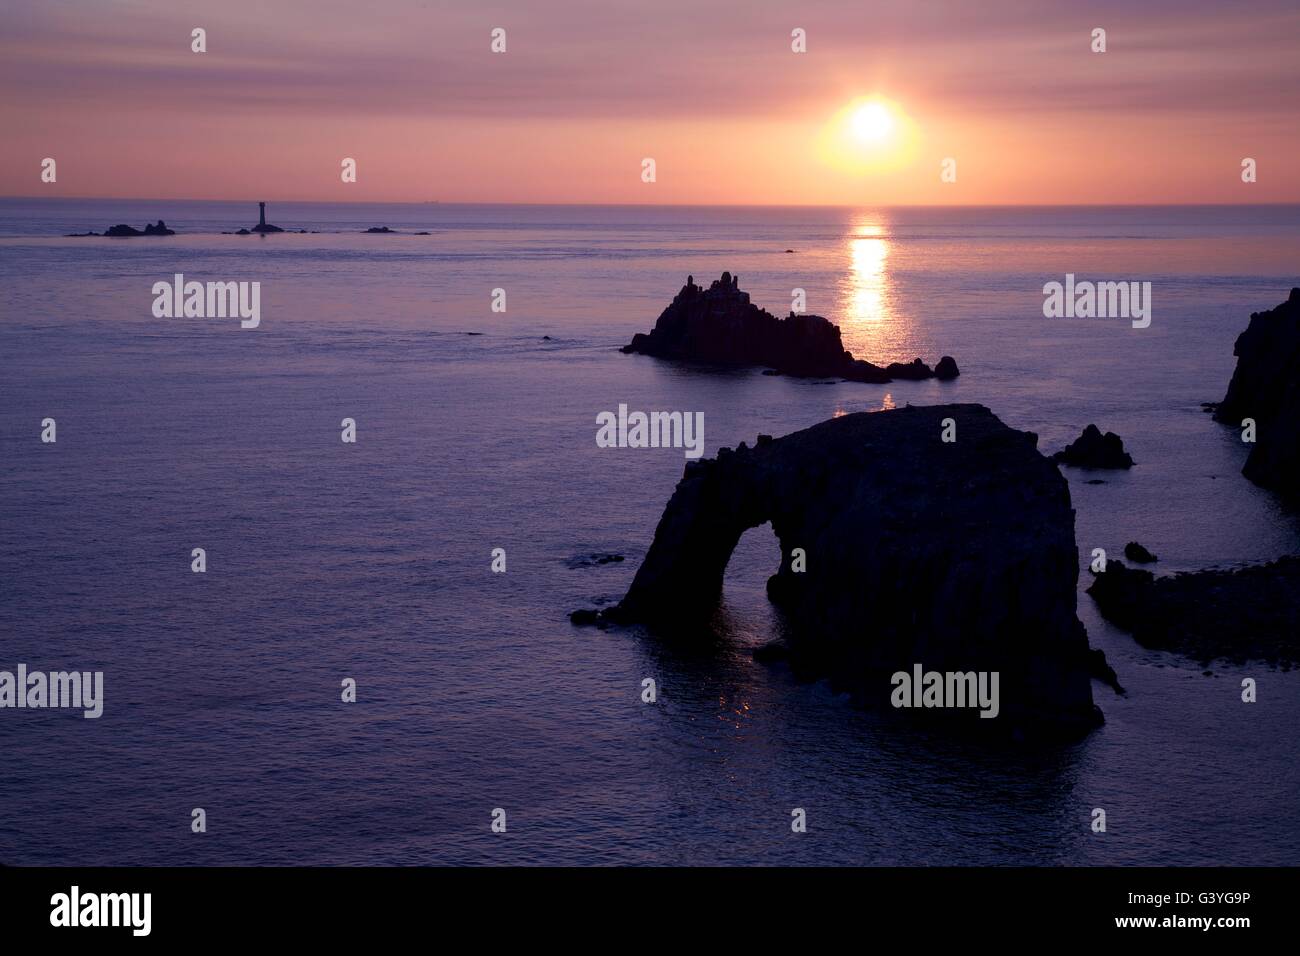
(722, 326)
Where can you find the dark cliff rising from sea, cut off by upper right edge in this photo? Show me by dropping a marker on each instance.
(1267, 388)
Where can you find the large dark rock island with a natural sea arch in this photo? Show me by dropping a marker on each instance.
(959, 556)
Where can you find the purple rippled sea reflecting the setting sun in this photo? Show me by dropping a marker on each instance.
(372, 561)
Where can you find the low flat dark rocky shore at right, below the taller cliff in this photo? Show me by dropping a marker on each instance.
(1242, 615)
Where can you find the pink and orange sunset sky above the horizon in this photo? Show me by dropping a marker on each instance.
(712, 90)
